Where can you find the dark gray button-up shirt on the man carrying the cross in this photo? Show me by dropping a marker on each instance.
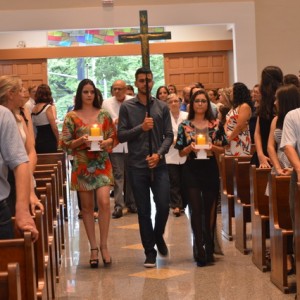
(131, 117)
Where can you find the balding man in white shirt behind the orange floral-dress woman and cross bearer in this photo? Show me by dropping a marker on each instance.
(119, 155)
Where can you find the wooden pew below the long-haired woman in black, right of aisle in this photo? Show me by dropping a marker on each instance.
(259, 216)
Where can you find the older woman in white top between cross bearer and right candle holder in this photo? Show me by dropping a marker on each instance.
(174, 161)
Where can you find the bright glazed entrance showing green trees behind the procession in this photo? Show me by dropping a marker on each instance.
(65, 74)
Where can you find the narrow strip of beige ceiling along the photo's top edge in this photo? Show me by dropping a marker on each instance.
(56, 4)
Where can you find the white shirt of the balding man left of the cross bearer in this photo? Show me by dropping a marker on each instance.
(112, 105)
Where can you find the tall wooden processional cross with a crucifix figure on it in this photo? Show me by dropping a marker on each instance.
(144, 36)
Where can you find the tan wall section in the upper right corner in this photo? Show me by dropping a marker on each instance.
(278, 34)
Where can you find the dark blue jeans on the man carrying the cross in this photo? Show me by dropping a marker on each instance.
(141, 184)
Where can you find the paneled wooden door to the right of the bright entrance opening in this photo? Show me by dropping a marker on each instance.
(209, 68)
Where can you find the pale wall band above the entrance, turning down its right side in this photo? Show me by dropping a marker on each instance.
(241, 15)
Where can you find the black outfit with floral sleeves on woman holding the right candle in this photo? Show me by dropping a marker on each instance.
(201, 181)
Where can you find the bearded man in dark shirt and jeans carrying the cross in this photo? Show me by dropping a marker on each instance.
(148, 172)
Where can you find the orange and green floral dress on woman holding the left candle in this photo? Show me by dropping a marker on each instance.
(91, 169)
